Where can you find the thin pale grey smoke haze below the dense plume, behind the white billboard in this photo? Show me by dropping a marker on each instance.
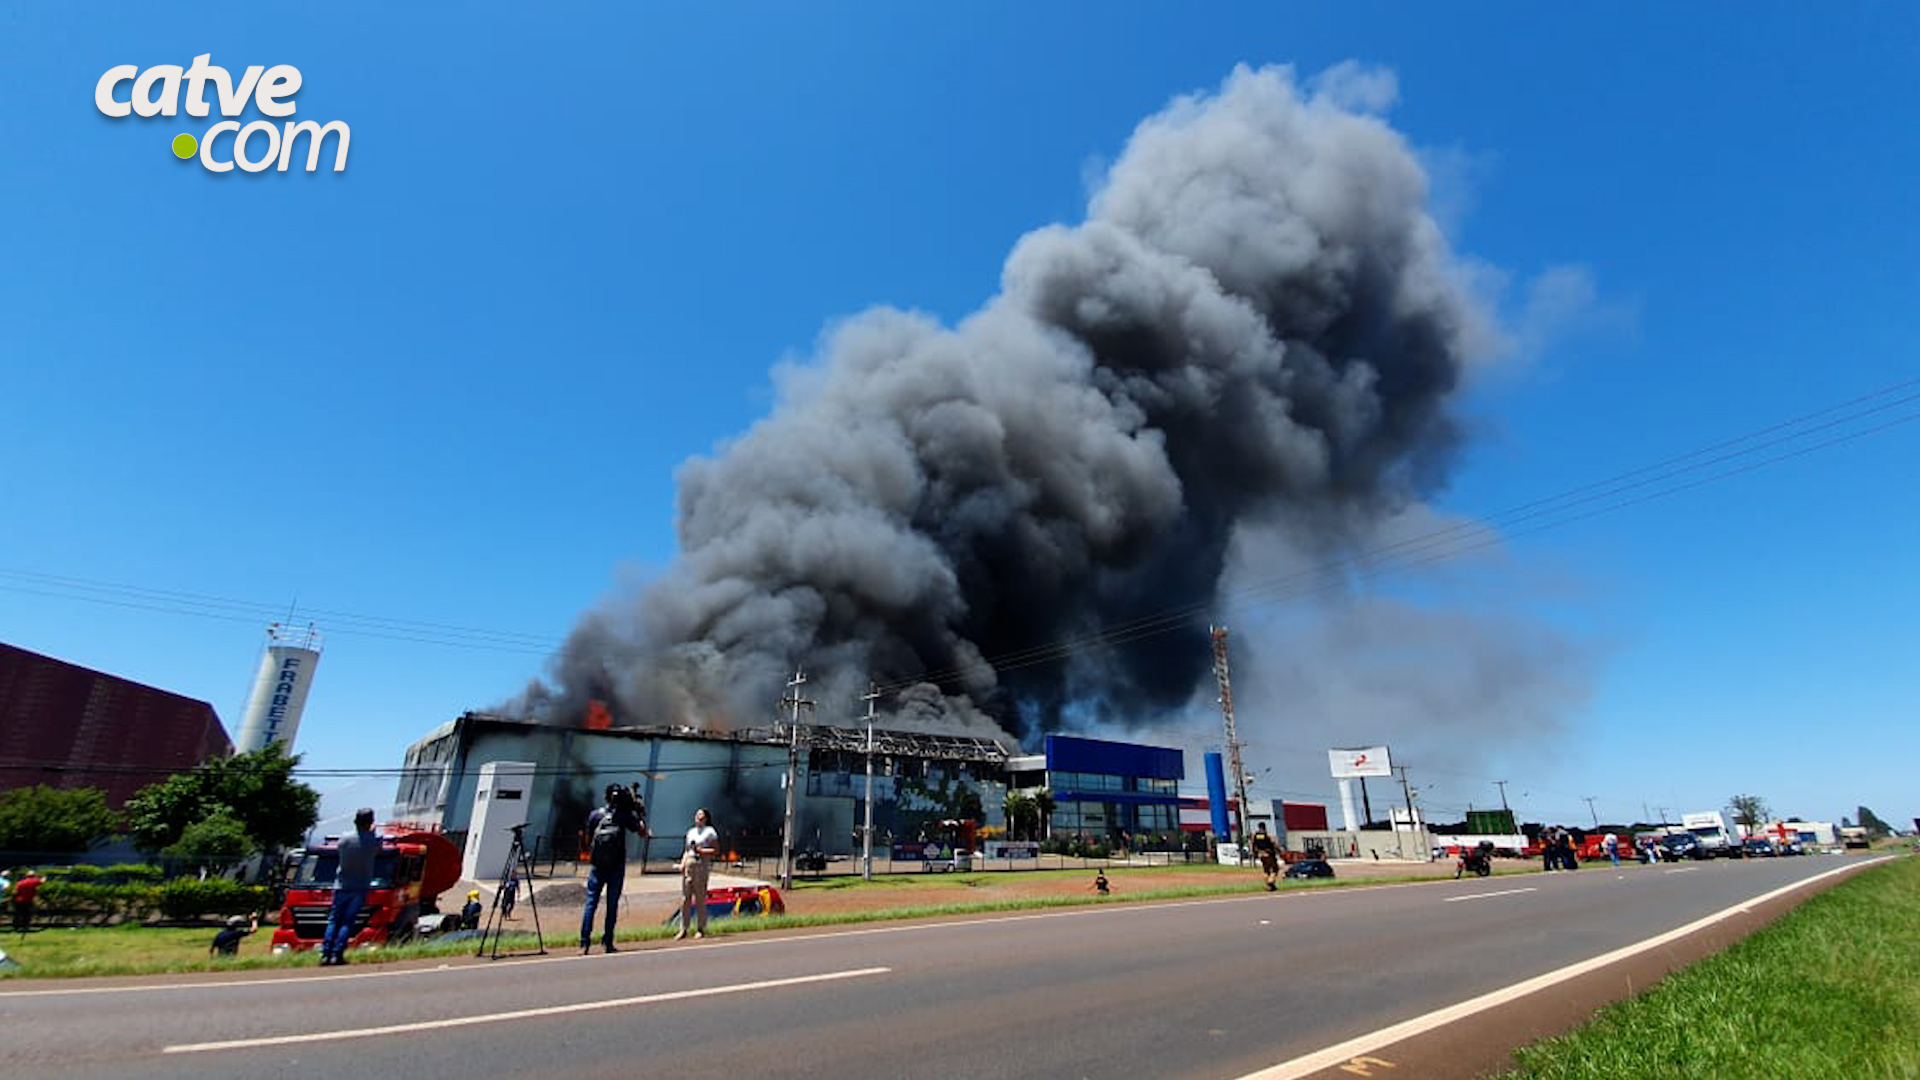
(1454, 674)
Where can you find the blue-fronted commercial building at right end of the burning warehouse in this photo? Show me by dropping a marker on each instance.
(1105, 789)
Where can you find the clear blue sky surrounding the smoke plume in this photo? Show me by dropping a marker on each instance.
(454, 383)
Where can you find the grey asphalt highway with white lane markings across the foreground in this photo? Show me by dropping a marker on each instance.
(1207, 989)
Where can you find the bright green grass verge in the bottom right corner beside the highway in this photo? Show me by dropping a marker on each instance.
(1829, 993)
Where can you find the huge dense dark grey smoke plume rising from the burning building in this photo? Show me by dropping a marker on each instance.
(1257, 322)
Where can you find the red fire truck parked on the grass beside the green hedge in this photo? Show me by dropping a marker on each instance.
(414, 868)
